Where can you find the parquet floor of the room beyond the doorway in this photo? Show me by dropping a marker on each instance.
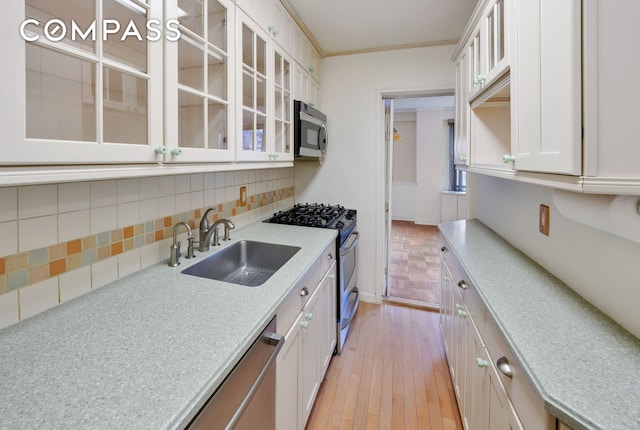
(414, 274)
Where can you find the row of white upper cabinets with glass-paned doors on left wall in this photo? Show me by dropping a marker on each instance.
(108, 82)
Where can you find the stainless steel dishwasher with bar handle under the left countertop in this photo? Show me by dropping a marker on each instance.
(246, 398)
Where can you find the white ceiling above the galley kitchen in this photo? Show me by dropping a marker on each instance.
(349, 26)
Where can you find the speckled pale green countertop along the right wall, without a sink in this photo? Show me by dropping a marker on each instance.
(584, 367)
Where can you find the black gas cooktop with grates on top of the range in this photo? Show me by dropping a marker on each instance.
(319, 215)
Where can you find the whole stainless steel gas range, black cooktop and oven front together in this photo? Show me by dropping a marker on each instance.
(343, 220)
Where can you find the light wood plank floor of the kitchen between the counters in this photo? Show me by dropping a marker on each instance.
(392, 375)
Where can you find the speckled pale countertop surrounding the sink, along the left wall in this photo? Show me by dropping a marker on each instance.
(144, 352)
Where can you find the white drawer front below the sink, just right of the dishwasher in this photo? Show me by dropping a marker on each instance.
(298, 296)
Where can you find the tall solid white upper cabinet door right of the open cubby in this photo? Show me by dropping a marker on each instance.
(546, 101)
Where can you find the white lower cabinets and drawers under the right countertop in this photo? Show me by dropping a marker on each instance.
(488, 398)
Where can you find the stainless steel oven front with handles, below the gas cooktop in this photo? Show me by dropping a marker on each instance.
(348, 294)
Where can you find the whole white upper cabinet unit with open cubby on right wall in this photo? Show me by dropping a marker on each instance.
(558, 109)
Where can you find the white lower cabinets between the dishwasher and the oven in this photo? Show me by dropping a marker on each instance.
(309, 343)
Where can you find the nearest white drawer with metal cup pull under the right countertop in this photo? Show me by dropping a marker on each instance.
(528, 405)
